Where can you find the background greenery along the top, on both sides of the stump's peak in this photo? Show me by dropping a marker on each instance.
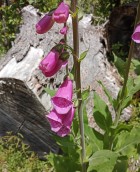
(10, 15)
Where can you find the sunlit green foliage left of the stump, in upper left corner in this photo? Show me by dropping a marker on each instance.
(10, 19)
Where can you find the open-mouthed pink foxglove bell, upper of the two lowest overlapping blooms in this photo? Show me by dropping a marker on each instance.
(62, 101)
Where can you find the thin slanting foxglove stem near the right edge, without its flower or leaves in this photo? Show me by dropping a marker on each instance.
(126, 74)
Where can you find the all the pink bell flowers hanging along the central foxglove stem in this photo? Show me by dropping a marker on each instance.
(61, 116)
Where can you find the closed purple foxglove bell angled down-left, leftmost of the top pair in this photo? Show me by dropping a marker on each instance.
(44, 24)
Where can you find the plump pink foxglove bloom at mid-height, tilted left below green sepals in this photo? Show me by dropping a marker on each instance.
(51, 63)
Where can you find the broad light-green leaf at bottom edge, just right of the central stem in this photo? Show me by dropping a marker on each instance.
(102, 161)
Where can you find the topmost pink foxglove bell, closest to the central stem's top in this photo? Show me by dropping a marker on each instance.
(61, 14)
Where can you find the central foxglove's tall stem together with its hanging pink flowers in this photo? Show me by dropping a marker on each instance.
(61, 116)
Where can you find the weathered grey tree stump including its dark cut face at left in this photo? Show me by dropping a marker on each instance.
(23, 103)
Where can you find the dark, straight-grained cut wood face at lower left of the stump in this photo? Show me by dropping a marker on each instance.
(20, 111)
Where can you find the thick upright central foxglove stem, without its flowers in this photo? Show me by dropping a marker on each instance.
(78, 79)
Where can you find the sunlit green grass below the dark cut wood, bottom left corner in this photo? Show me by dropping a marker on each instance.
(15, 156)
